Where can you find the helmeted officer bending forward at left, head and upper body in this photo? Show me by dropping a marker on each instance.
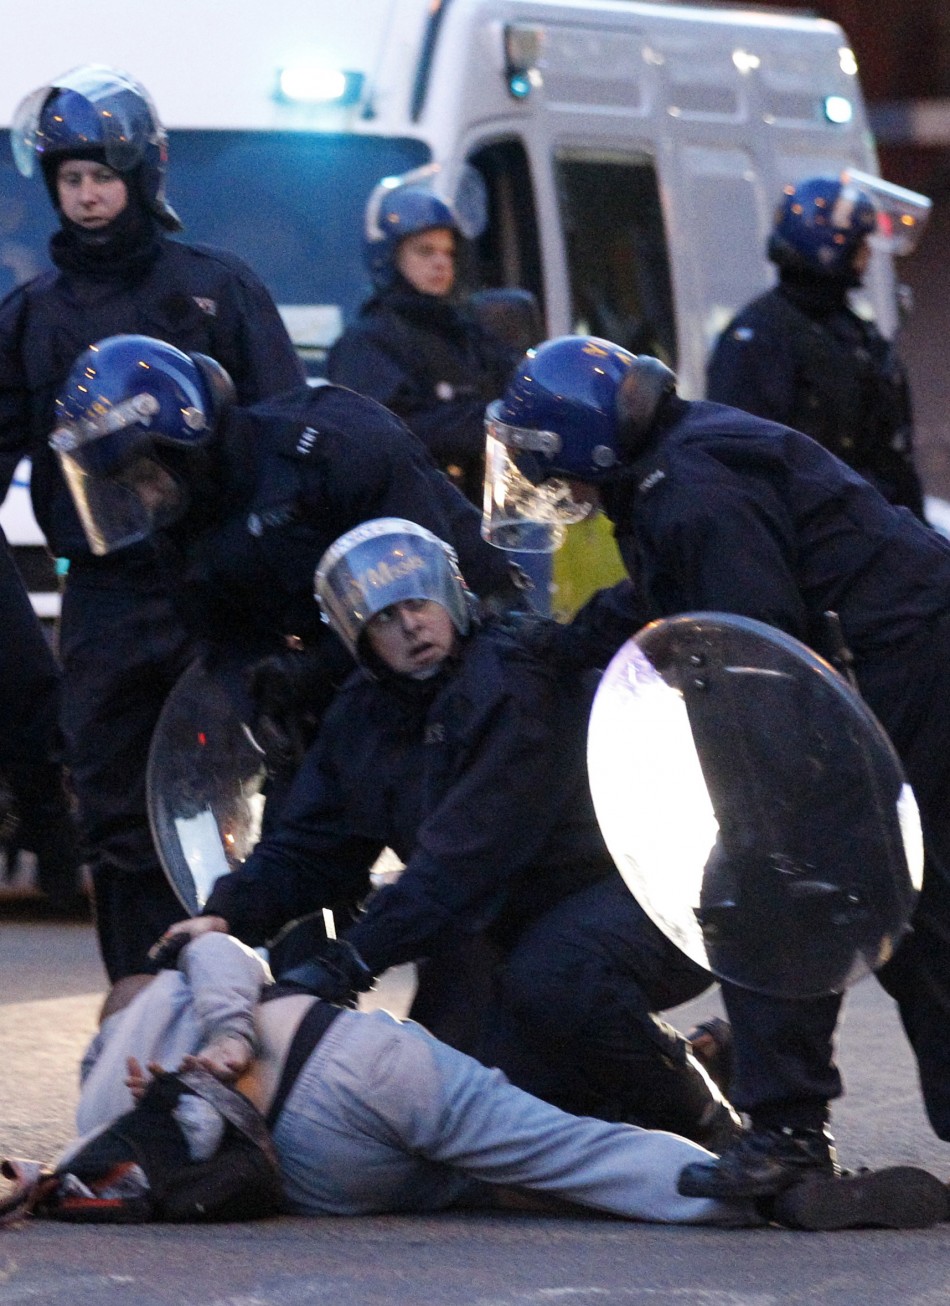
(242, 502)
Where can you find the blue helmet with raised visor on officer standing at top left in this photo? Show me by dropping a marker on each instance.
(101, 114)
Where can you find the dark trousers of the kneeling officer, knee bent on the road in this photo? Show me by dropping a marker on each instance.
(576, 1014)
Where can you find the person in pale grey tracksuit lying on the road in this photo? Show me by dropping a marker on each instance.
(372, 1115)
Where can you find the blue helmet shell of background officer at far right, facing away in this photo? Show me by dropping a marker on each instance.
(820, 228)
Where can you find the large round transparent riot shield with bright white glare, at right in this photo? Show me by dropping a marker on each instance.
(753, 805)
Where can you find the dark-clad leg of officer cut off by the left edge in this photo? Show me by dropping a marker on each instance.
(31, 750)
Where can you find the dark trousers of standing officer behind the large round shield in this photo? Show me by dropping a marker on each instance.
(785, 1070)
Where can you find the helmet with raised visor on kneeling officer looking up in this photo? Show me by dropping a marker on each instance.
(386, 562)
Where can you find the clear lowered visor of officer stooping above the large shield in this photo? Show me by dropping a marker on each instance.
(522, 511)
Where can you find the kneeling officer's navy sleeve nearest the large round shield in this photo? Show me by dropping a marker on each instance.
(516, 784)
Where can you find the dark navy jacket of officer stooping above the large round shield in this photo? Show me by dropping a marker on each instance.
(726, 513)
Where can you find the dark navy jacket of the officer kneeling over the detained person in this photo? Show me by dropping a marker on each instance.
(476, 780)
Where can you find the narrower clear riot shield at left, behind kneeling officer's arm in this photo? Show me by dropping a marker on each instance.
(205, 780)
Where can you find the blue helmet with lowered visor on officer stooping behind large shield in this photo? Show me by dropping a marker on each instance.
(576, 409)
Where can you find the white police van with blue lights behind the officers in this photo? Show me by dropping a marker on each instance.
(632, 153)
